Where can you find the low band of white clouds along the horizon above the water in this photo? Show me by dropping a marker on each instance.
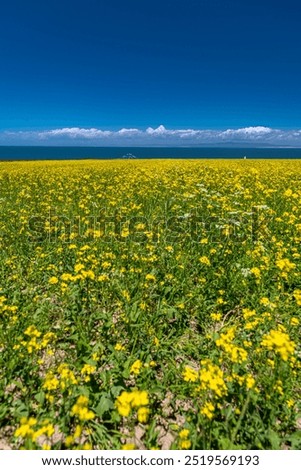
(257, 135)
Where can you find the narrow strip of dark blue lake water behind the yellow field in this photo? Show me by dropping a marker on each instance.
(76, 153)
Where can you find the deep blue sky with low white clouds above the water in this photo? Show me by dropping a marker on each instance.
(168, 71)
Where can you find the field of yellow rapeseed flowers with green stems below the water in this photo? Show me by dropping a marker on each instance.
(150, 304)
